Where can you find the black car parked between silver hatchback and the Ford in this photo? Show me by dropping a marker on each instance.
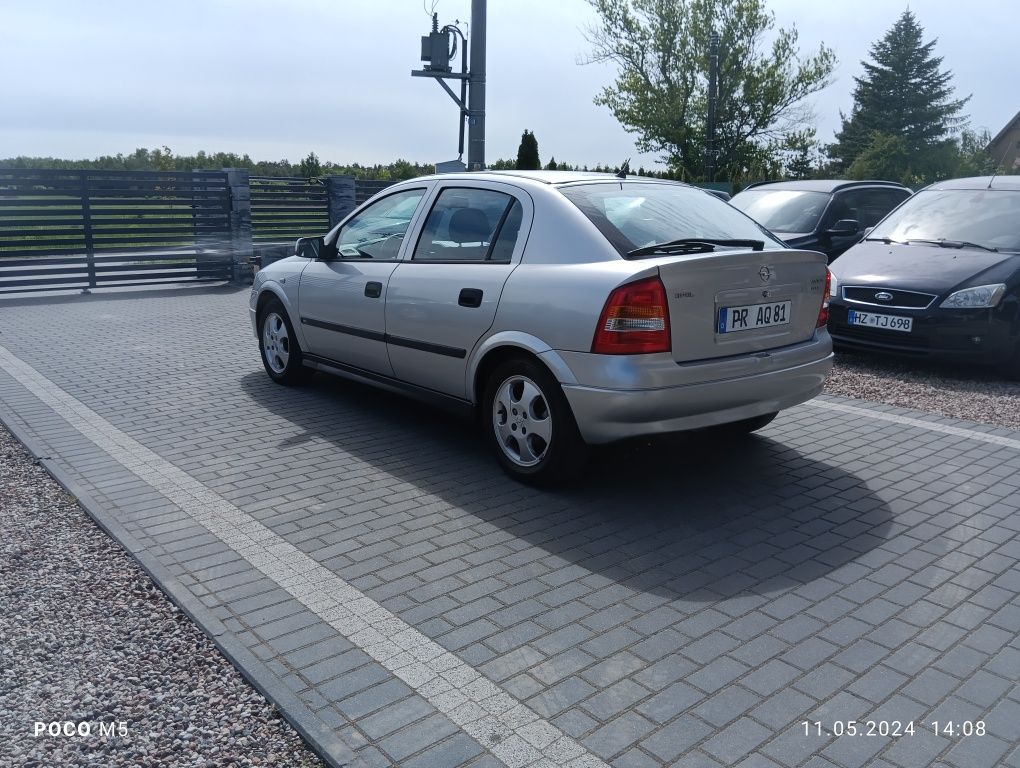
(821, 216)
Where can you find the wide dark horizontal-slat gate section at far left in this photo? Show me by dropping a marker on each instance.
(86, 229)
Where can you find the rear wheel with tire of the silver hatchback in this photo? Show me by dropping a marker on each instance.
(530, 426)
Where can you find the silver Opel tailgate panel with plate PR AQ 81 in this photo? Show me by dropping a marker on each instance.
(731, 303)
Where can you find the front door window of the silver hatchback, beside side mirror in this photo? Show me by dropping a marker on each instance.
(378, 232)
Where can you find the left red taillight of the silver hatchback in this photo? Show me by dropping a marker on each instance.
(635, 321)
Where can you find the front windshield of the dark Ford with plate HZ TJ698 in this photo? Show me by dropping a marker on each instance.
(988, 218)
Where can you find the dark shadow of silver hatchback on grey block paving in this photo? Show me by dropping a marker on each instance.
(686, 518)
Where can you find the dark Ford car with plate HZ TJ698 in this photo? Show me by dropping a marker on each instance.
(939, 278)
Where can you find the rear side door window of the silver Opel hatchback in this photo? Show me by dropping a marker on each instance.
(470, 225)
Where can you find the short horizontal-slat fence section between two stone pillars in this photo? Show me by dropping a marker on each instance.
(286, 209)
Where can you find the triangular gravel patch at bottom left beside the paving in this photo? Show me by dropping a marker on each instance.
(86, 637)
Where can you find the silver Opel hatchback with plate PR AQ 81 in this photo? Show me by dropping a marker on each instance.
(565, 310)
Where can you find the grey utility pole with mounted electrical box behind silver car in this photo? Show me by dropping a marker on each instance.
(435, 50)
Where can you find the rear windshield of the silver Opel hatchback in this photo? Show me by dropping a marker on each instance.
(634, 215)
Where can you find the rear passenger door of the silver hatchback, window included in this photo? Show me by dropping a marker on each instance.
(444, 297)
